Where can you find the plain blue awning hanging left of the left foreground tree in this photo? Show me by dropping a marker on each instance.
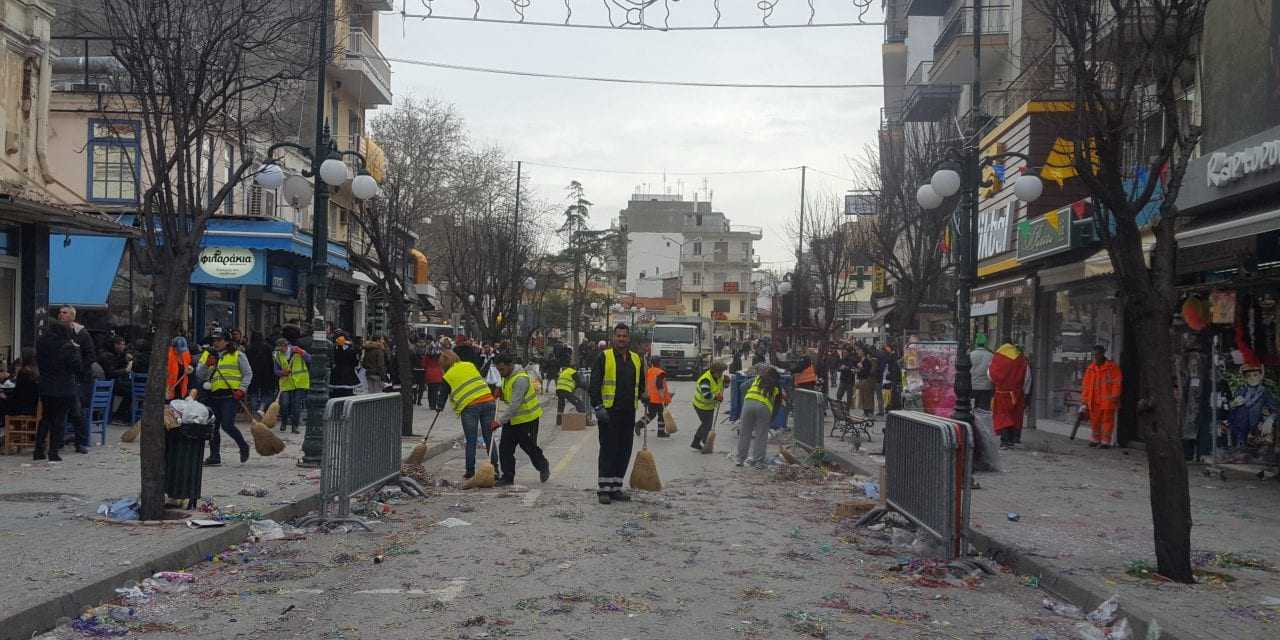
(83, 272)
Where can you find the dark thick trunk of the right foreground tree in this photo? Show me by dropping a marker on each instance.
(1159, 424)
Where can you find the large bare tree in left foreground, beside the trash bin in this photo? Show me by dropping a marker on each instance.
(202, 77)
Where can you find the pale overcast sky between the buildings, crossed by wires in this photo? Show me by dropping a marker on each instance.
(655, 129)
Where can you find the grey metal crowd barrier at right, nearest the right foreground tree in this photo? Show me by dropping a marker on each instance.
(929, 468)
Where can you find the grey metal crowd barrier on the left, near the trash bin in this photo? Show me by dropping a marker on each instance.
(362, 454)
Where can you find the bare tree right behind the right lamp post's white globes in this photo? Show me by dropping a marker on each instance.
(911, 244)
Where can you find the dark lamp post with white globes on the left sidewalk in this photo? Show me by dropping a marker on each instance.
(327, 171)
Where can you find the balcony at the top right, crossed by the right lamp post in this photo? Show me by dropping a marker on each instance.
(954, 48)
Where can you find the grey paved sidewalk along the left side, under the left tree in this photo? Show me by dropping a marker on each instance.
(48, 508)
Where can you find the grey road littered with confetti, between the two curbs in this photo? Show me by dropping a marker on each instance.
(721, 554)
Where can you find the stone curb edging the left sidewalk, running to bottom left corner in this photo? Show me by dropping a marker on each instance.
(44, 616)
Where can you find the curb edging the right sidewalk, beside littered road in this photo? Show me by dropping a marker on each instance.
(1076, 591)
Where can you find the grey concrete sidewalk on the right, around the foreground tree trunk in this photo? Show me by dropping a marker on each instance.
(1085, 520)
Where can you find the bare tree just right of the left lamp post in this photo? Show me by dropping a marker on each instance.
(419, 139)
